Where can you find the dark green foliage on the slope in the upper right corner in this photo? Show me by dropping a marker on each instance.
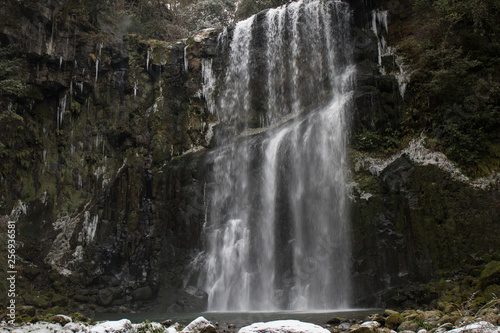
(454, 52)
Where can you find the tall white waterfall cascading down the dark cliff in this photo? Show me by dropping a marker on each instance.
(277, 236)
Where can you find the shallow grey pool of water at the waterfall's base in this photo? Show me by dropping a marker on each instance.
(240, 319)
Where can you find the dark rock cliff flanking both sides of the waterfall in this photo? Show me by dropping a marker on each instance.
(118, 157)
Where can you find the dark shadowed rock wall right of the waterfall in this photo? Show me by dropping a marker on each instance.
(418, 223)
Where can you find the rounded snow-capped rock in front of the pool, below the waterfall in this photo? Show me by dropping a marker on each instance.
(283, 326)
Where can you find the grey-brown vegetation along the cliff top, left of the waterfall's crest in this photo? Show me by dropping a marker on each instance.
(167, 20)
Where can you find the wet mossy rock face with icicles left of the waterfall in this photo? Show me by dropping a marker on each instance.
(106, 209)
